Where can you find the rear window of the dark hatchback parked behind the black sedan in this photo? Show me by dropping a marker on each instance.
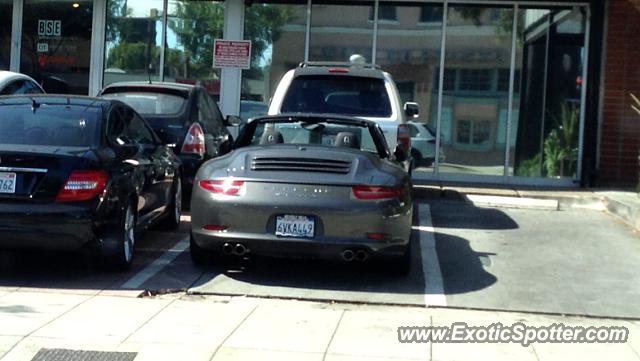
(151, 103)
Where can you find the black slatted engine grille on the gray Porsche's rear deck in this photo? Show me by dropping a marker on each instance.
(301, 165)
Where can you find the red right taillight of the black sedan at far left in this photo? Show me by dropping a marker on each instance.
(82, 186)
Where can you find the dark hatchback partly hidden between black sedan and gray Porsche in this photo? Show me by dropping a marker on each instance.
(181, 114)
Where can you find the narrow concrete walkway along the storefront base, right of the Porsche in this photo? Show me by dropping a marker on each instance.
(622, 205)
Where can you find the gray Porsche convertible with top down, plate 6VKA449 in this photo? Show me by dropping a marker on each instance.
(317, 186)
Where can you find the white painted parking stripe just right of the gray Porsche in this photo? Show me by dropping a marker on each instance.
(433, 284)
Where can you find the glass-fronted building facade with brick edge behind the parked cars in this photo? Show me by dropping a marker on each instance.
(520, 92)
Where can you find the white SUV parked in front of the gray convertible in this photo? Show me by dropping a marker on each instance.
(360, 90)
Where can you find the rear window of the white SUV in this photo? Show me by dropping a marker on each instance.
(356, 96)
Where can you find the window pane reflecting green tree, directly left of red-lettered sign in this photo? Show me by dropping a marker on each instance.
(192, 27)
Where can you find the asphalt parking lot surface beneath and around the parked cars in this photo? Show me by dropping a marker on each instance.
(578, 262)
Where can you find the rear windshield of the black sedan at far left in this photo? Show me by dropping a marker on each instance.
(50, 125)
